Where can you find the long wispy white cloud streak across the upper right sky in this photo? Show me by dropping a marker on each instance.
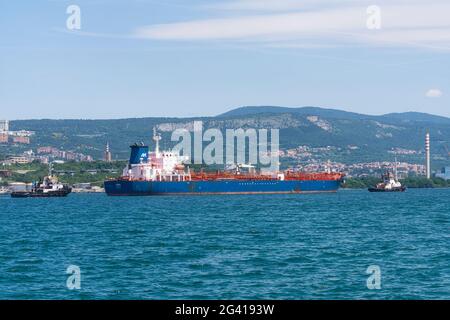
(423, 24)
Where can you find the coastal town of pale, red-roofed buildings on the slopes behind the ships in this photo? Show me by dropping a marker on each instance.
(302, 158)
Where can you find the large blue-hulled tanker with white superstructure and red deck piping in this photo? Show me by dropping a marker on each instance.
(164, 173)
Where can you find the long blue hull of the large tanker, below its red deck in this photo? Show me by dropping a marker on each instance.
(148, 188)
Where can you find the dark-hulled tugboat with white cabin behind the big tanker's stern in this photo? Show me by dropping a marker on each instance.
(48, 187)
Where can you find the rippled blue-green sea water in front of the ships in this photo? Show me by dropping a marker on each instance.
(227, 247)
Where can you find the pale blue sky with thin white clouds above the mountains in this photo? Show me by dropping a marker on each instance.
(183, 58)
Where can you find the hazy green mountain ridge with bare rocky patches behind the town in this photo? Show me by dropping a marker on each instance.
(351, 137)
